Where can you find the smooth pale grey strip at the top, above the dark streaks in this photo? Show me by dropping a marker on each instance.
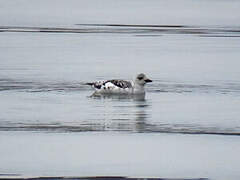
(67, 13)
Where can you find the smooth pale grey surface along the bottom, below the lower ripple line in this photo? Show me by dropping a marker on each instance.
(114, 154)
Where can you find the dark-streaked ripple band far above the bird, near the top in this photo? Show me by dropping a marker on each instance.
(135, 29)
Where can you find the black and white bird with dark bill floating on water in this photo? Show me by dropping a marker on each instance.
(117, 86)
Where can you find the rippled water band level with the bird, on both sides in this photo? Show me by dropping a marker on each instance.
(156, 87)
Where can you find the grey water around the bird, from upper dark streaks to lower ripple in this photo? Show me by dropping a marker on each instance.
(195, 72)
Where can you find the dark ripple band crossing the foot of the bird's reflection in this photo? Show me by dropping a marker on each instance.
(120, 125)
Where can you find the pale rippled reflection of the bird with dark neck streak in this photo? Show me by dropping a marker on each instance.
(130, 113)
